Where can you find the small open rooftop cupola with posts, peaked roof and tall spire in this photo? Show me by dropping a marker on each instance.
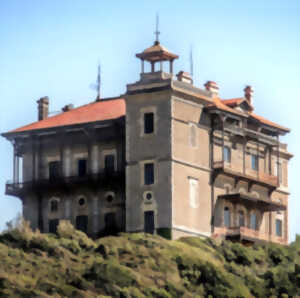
(157, 53)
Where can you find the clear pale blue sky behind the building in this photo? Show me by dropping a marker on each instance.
(52, 48)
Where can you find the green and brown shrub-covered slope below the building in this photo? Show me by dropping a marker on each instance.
(138, 265)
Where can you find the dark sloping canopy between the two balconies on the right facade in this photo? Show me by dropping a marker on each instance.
(251, 201)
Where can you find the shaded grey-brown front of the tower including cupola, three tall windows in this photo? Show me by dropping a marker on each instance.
(148, 144)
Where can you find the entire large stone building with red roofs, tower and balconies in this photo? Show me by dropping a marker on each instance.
(167, 157)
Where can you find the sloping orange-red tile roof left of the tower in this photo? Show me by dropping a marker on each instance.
(96, 111)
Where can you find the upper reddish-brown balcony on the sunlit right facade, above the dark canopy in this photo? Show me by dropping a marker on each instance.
(260, 178)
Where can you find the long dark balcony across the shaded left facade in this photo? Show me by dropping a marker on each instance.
(106, 179)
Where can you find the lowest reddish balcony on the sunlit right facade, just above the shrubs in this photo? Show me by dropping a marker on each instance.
(245, 234)
